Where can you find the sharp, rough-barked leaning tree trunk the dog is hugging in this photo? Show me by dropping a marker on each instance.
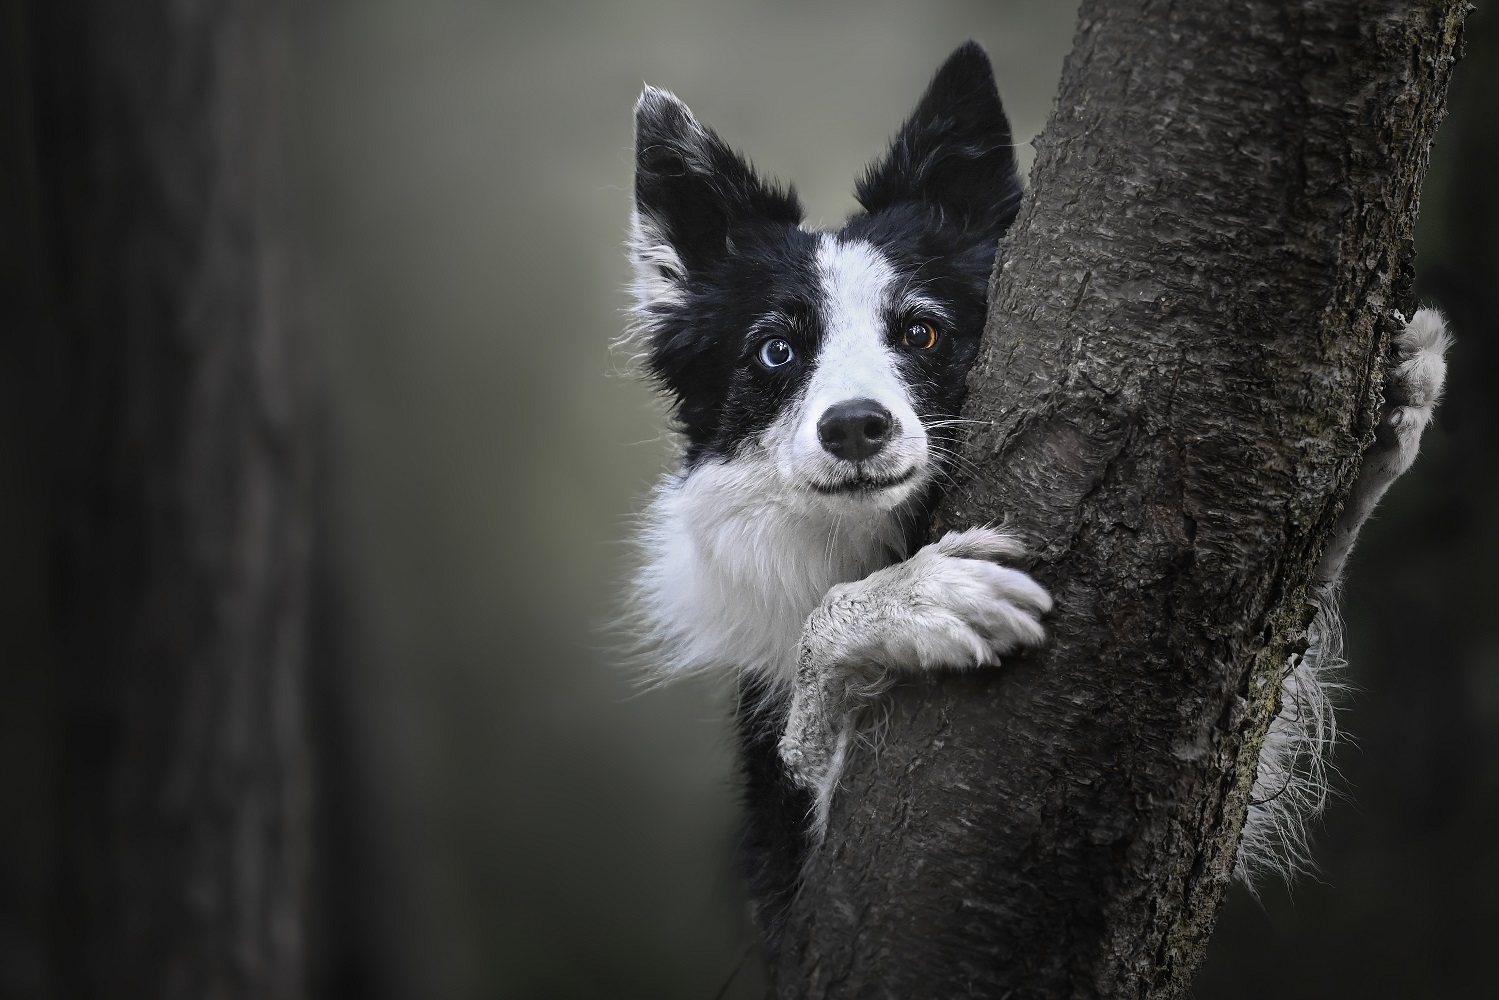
(1180, 371)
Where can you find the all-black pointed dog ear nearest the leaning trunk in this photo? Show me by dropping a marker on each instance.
(956, 152)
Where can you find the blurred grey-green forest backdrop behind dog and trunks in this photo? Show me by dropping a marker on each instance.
(516, 816)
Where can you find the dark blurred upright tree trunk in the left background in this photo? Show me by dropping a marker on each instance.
(182, 509)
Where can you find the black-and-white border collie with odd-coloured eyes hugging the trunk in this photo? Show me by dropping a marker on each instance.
(816, 382)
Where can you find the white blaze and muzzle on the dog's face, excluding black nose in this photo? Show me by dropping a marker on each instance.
(857, 362)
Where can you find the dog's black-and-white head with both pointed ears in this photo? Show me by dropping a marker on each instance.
(833, 361)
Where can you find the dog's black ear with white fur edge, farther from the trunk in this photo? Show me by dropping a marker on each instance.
(692, 193)
